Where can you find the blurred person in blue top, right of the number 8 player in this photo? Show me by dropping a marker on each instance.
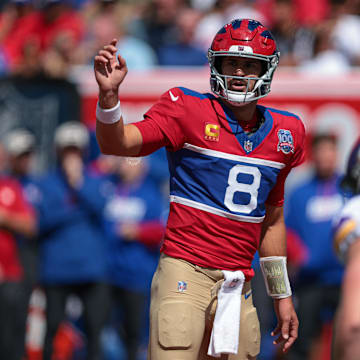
(311, 208)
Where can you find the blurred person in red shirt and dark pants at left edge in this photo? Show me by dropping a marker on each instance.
(16, 218)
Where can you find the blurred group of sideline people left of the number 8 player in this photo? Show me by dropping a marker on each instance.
(85, 229)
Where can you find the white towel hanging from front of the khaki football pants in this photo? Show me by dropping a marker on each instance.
(226, 328)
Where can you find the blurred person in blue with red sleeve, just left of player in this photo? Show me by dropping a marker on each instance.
(133, 216)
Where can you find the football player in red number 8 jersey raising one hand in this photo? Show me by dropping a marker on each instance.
(228, 160)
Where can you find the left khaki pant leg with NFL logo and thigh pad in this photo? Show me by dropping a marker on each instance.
(179, 297)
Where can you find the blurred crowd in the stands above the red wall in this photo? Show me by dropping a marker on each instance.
(49, 36)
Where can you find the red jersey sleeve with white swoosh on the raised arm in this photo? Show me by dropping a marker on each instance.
(163, 123)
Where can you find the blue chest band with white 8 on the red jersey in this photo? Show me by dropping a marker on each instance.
(235, 186)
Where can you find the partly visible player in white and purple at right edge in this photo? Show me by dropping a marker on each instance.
(347, 246)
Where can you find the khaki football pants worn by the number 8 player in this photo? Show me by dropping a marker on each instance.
(183, 304)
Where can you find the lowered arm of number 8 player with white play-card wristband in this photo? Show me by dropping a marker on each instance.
(272, 252)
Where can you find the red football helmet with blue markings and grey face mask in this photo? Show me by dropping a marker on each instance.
(245, 38)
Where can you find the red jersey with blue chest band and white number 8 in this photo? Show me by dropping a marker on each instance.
(220, 176)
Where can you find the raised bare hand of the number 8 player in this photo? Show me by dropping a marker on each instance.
(110, 70)
